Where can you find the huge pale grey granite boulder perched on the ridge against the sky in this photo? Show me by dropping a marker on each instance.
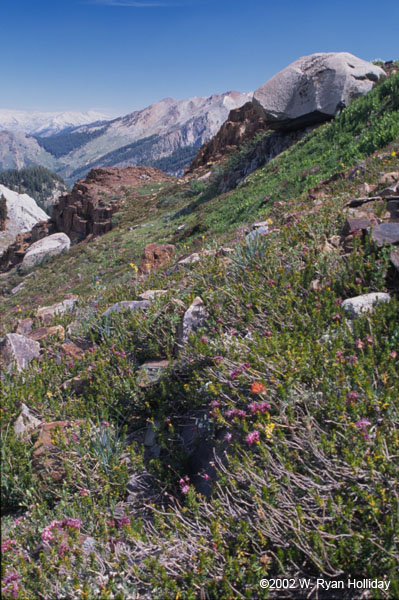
(314, 88)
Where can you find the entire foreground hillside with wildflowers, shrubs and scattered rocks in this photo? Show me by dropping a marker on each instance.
(240, 423)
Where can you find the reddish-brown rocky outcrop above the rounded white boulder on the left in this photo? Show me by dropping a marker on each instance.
(88, 208)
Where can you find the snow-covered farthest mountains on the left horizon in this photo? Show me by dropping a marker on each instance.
(46, 123)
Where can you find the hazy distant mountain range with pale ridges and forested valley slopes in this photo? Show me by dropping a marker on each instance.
(166, 135)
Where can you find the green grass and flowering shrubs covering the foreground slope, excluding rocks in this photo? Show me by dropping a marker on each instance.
(315, 496)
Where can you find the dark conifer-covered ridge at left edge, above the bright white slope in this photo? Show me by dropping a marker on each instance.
(38, 182)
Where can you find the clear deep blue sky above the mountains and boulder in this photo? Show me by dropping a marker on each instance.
(121, 55)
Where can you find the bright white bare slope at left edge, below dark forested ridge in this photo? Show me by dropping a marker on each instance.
(22, 214)
